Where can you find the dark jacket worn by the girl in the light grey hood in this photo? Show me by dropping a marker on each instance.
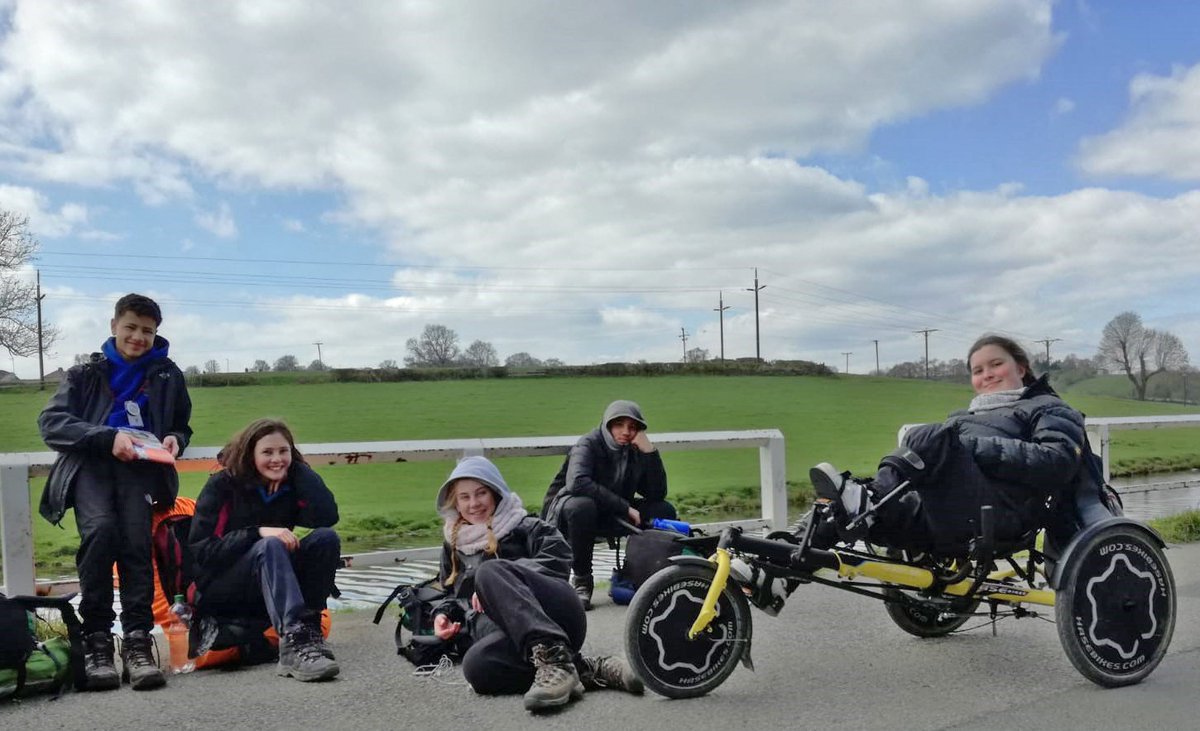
(532, 542)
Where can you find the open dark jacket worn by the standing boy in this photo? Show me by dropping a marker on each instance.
(74, 424)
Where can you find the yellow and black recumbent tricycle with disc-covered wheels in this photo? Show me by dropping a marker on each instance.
(1106, 577)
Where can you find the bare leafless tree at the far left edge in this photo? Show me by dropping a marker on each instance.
(19, 298)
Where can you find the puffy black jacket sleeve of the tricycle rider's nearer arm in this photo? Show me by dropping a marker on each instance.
(1052, 454)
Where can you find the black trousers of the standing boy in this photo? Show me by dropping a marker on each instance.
(112, 505)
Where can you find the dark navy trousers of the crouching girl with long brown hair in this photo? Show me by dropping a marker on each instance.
(269, 582)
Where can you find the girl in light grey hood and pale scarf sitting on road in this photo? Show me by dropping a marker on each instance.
(508, 598)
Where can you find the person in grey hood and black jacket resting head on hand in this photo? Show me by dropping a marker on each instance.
(613, 474)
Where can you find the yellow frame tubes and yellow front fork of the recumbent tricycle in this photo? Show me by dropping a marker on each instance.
(897, 574)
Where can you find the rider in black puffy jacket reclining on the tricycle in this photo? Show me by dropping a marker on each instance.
(1016, 446)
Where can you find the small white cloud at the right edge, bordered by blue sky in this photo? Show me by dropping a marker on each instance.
(1161, 136)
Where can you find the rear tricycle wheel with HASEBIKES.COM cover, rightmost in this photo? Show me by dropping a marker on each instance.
(1115, 606)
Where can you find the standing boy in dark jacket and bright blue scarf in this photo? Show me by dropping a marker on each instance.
(130, 384)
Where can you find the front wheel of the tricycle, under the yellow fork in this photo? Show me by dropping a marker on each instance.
(657, 626)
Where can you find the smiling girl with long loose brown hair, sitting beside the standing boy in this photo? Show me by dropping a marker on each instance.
(250, 562)
